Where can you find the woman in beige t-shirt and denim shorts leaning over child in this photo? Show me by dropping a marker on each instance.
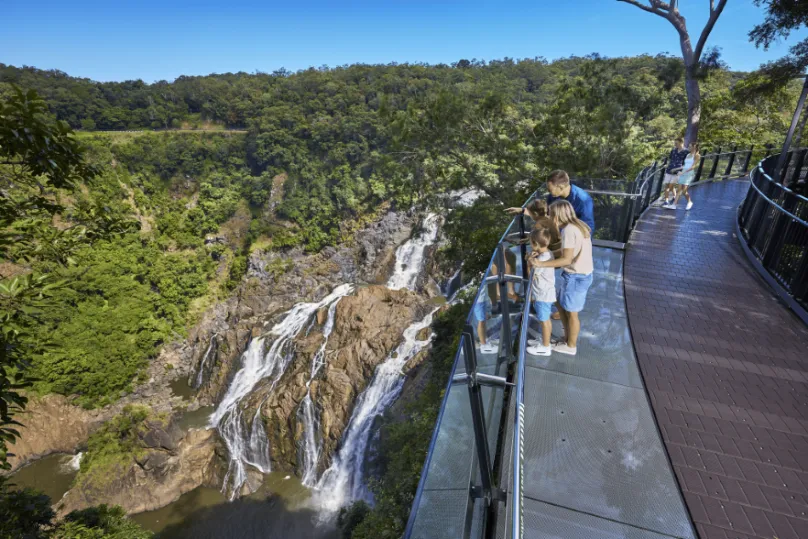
(576, 277)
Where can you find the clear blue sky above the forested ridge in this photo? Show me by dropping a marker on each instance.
(154, 40)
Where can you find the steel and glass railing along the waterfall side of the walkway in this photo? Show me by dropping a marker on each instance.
(490, 397)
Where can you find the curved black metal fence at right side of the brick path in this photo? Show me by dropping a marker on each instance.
(773, 221)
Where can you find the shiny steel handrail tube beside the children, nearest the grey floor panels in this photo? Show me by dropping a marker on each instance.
(516, 498)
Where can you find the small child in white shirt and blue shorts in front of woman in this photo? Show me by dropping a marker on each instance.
(543, 289)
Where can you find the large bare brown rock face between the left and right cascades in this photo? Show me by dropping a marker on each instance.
(367, 327)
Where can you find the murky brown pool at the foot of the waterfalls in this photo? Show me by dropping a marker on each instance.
(277, 510)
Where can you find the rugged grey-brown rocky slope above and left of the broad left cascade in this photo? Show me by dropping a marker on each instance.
(273, 284)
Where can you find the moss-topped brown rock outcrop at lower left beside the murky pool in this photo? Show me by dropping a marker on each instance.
(142, 461)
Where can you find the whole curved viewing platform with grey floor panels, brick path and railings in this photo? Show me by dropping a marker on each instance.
(684, 413)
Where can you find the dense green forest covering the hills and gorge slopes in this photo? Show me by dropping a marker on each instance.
(136, 233)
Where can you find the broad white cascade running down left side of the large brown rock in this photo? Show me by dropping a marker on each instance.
(252, 448)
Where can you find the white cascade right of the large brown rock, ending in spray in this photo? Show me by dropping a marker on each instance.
(342, 482)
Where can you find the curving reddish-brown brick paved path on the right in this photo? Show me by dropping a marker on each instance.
(726, 366)
